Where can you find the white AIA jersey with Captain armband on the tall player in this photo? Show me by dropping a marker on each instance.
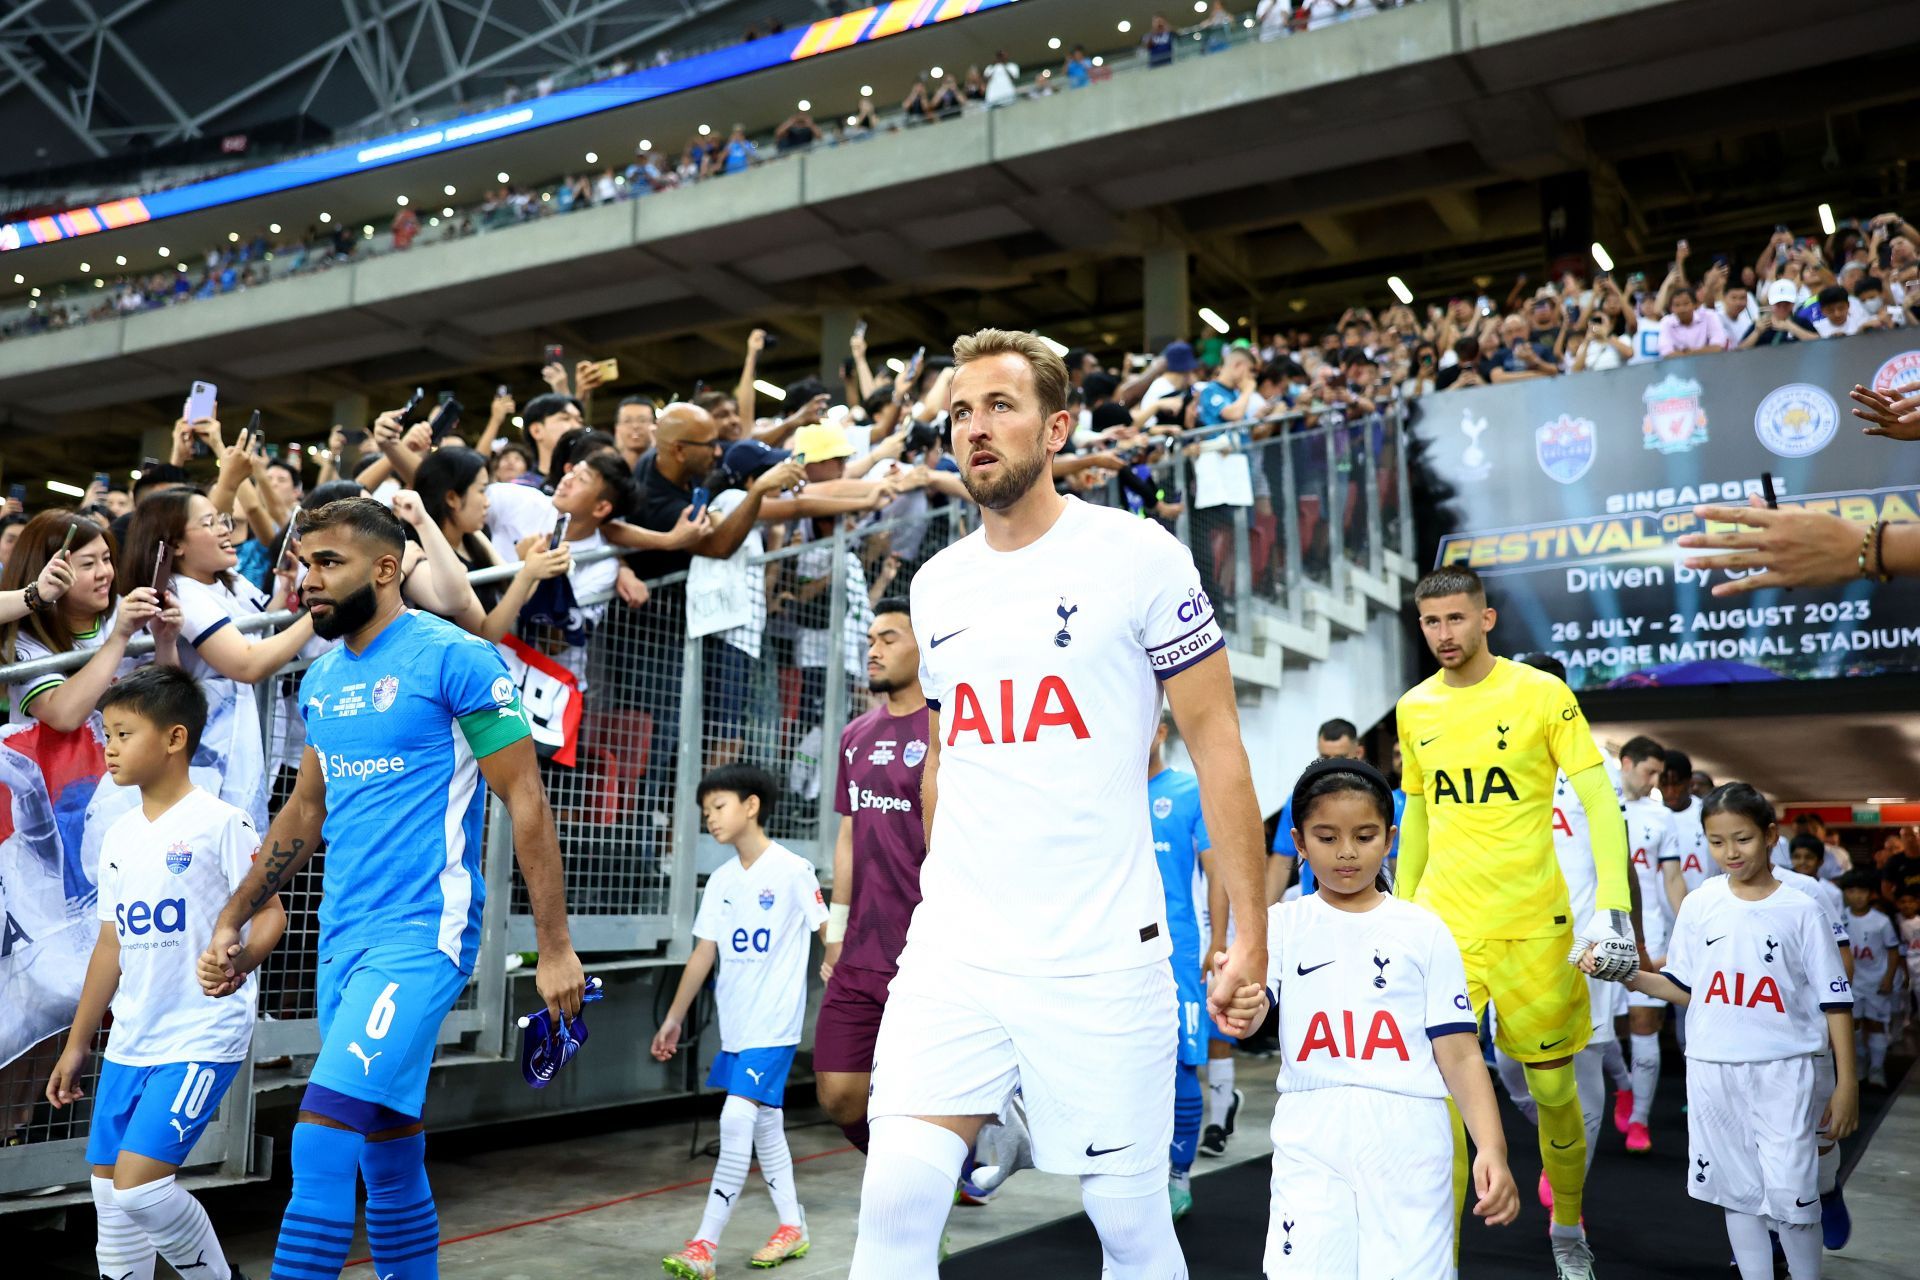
(1044, 669)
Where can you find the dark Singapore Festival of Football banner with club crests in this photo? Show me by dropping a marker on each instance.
(1568, 496)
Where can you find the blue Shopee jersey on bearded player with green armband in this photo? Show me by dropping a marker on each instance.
(398, 732)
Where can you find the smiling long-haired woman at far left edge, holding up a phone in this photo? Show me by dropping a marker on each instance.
(62, 575)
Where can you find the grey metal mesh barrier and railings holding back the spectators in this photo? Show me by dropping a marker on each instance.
(660, 707)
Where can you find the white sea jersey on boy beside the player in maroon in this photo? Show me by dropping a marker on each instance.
(763, 920)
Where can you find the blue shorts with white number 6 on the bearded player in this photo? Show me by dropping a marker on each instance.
(381, 1012)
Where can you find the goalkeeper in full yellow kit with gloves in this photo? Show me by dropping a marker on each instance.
(1481, 744)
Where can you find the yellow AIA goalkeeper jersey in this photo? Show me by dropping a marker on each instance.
(1487, 759)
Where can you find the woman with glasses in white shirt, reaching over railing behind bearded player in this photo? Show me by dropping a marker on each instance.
(231, 759)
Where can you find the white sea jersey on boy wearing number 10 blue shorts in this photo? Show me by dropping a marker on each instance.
(162, 888)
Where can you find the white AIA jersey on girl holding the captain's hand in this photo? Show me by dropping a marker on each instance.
(1364, 995)
